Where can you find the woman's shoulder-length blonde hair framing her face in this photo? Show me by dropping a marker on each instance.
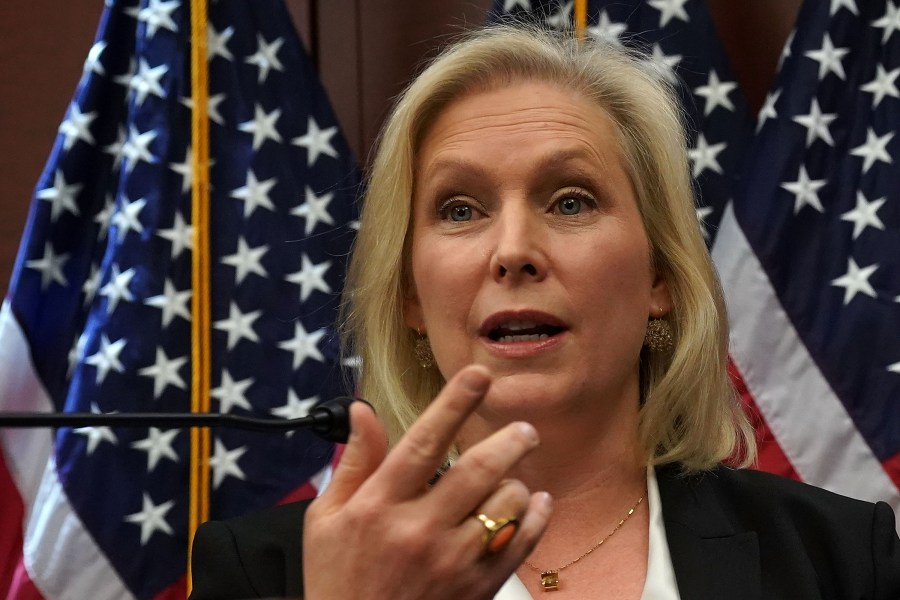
(689, 413)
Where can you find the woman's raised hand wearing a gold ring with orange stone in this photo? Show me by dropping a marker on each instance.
(378, 530)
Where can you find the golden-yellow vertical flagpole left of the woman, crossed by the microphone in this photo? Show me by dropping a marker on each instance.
(200, 284)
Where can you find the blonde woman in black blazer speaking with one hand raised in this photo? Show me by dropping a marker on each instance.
(530, 294)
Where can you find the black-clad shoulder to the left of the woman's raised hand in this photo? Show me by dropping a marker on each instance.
(252, 556)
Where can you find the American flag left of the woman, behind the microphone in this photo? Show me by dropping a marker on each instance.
(98, 317)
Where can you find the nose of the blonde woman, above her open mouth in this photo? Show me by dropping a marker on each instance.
(520, 251)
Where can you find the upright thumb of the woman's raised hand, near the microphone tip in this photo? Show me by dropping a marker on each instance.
(366, 449)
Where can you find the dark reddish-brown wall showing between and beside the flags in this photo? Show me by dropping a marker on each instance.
(365, 51)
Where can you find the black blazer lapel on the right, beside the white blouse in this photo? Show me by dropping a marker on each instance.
(711, 559)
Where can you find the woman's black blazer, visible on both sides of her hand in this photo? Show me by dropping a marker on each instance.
(732, 534)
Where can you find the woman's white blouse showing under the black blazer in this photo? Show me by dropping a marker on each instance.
(660, 583)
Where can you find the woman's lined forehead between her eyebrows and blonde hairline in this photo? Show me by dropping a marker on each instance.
(525, 115)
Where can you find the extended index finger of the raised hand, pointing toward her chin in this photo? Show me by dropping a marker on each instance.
(423, 449)
